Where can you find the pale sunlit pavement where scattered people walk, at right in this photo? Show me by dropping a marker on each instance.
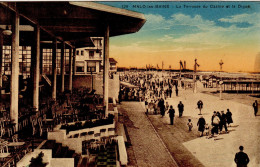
(220, 151)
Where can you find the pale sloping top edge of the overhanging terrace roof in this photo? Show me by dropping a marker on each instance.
(110, 9)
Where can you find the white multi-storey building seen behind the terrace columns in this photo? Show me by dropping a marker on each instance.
(90, 59)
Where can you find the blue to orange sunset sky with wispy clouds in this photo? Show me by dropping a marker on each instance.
(227, 31)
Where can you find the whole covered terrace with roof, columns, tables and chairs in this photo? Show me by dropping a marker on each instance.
(42, 108)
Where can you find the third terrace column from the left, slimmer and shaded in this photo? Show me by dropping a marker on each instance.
(54, 70)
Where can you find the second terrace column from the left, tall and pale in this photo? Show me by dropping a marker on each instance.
(36, 68)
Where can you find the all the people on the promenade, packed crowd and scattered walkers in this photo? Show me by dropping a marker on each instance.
(154, 90)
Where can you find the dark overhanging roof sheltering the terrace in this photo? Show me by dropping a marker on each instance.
(74, 22)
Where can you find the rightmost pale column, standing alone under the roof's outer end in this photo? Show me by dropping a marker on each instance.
(106, 69)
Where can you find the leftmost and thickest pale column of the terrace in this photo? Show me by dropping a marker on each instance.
(14, 85)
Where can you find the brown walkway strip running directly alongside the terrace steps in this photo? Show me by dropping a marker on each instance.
(148, 148)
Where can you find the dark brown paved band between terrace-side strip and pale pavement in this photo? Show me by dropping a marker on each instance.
(174, 136)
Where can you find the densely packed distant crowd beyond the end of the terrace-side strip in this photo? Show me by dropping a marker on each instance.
(148, 87)
